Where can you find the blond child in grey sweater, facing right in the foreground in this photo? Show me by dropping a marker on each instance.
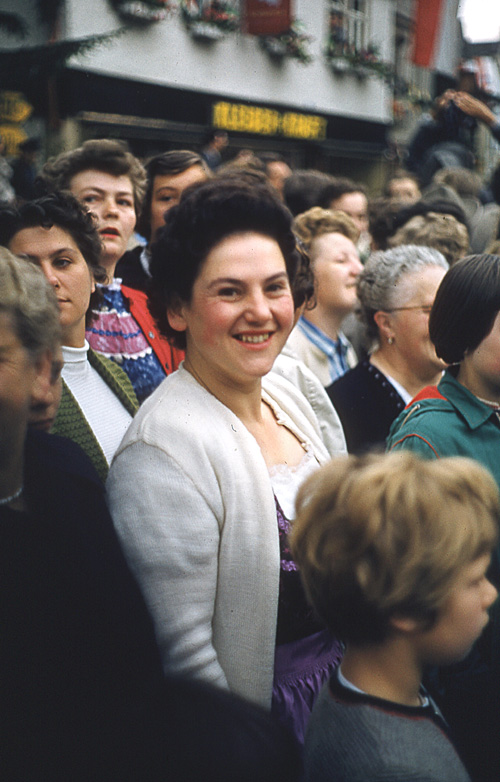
(393, 552)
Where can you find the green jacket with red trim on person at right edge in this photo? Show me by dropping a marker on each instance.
(449, 421)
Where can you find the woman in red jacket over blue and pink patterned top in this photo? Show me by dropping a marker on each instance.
(109, 181)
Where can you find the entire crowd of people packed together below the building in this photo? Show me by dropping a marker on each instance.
(211, 569)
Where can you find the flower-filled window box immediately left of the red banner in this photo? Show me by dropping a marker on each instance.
(209, 19)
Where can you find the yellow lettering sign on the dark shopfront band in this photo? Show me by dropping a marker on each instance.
(267, 122)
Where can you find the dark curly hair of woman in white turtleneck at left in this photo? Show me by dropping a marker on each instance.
(65, 212)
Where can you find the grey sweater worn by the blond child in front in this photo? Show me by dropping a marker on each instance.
(354, 737)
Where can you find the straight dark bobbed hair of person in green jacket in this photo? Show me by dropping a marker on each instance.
(466, 305)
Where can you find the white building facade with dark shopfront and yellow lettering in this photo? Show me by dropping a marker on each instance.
(162, 84)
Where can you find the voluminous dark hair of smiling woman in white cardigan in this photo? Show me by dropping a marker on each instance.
(204, 217)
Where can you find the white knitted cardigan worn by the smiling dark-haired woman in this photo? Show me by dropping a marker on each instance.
(191, 498)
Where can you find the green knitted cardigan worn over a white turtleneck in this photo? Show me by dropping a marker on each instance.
(70, 421)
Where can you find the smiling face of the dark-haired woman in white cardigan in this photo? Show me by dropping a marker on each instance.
(240, 313)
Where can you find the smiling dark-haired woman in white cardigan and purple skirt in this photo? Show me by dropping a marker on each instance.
(218, 454)
